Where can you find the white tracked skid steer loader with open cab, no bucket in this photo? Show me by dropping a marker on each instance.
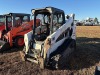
(50, 44)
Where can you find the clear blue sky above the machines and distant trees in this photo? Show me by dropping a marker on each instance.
(81, 8)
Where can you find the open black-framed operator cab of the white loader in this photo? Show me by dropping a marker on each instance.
(50, 20)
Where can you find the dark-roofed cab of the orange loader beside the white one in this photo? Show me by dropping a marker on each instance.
(15, 20)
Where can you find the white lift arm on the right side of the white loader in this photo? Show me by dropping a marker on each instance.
(55, 39)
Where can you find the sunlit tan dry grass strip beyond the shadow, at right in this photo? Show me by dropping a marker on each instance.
(88, 31)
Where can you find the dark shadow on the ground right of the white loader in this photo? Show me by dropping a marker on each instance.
(87, 54)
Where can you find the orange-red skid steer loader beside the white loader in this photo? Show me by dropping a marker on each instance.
(16, 25)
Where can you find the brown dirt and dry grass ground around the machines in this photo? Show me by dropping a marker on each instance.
(82, 61)
